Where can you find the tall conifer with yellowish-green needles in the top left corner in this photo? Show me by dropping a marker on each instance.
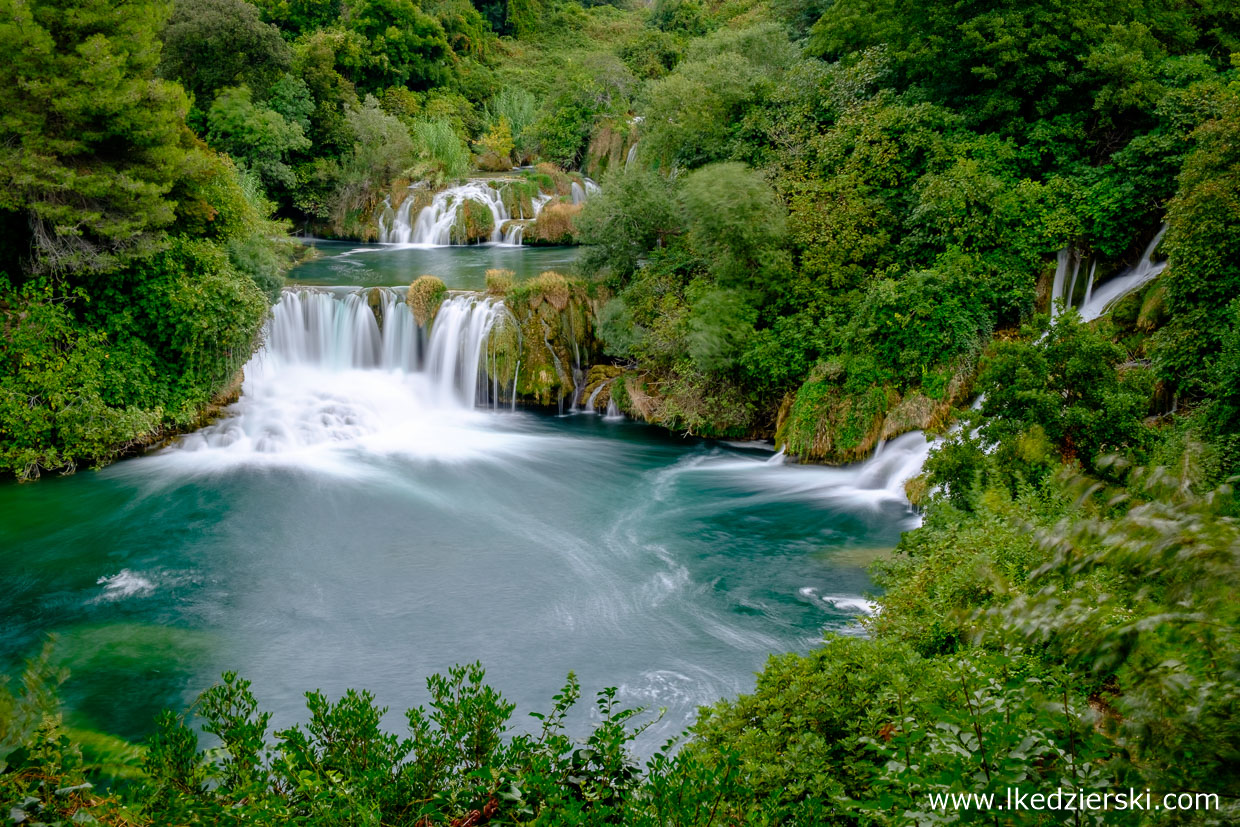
(91, 139)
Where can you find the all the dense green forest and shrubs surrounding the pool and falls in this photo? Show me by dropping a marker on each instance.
(824, 223)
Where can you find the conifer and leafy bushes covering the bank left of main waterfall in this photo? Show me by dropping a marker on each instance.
(136, 263)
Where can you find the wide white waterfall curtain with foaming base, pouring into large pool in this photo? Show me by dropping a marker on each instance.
(348, 368)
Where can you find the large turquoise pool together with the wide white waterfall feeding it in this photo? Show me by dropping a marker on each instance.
(358, 520)
